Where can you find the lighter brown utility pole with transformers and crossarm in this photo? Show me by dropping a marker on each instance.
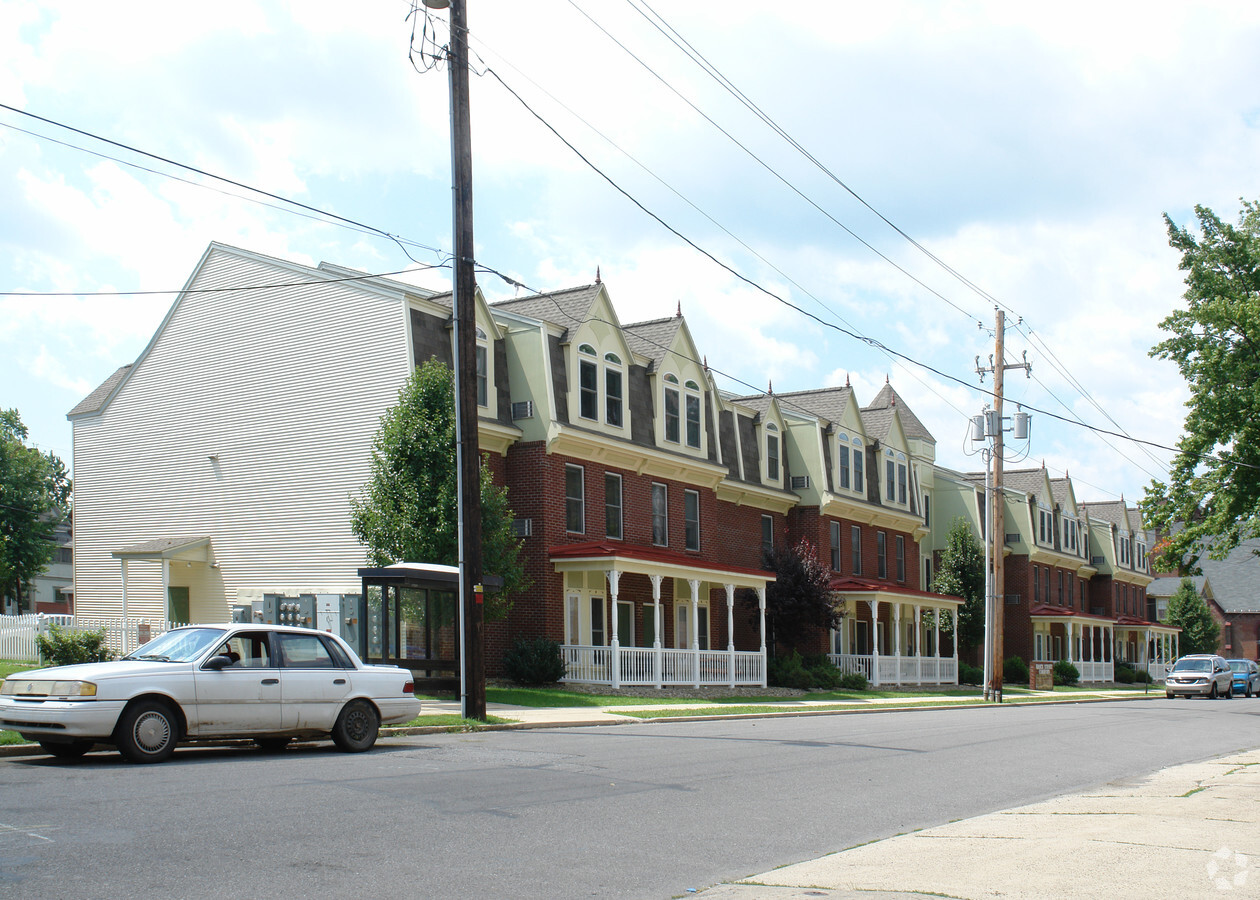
(997, 506)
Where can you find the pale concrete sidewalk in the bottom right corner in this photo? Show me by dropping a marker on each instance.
(1189, 831)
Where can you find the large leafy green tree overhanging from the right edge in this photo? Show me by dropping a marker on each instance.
(1214, 485)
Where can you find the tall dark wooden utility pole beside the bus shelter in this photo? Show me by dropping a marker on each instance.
(464, 307)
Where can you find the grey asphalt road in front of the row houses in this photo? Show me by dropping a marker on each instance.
(633, 811)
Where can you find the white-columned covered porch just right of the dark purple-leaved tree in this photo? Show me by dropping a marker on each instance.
(894, 636)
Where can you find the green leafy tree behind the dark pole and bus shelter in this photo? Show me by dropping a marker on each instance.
(409, 509)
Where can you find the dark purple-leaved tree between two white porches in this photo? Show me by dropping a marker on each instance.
(799, 603)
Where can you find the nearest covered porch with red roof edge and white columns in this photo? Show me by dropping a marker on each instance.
(648, 617)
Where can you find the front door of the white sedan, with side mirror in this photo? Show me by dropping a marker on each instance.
(244, 698)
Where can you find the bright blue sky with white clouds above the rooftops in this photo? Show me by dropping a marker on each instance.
(1030, 148)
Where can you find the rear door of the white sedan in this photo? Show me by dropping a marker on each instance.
(314, 681)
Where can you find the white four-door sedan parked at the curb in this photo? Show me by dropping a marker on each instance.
(270, 684)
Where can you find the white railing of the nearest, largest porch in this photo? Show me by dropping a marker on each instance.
(646, 666)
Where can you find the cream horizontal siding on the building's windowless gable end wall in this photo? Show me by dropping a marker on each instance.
(285, 388)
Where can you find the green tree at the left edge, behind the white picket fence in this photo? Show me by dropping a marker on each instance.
(35, 499)
